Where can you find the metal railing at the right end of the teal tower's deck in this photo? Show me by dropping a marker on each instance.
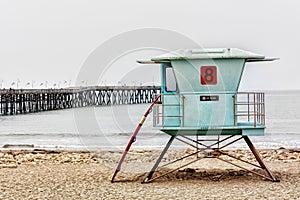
(249, 107)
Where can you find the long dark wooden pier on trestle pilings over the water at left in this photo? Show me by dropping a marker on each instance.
(21, 101)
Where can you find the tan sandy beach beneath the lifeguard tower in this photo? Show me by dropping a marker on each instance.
(40, 174)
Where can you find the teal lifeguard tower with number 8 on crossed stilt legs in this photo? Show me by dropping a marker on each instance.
(200, 99)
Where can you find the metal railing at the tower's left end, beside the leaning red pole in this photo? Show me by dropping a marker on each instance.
(159, 115)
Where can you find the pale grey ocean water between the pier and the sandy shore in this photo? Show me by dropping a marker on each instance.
(110, 127)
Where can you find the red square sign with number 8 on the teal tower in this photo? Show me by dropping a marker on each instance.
(209, 75)
